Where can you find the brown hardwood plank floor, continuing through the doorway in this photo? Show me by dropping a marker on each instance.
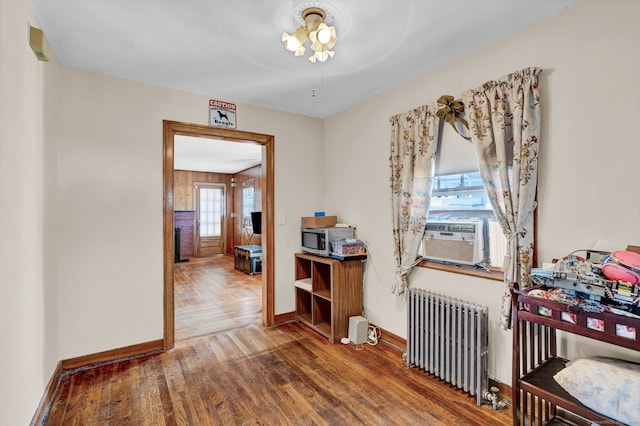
(244, 374)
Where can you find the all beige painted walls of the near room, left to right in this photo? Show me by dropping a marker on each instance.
(73, 138)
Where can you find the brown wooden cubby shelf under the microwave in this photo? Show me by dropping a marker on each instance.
(328, 292)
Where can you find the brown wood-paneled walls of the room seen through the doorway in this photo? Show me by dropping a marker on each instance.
(183, 195)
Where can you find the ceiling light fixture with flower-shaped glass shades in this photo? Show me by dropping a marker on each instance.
(322, 36)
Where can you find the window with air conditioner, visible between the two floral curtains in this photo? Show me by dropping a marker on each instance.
(462, 234)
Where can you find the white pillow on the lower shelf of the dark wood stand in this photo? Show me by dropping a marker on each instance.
(606, 385)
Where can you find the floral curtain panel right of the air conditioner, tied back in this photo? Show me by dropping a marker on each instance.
(504, 122)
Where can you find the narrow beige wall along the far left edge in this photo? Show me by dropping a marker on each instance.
(28, 284)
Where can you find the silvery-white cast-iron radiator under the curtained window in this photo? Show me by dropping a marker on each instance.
(449, 339)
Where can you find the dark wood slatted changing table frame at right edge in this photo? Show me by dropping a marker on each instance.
(536, 395)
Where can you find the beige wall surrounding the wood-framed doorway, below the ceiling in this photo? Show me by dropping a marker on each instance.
(110, 170)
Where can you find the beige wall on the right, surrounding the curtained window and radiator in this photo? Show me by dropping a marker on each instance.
(589, 159)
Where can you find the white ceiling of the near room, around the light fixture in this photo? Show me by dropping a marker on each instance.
(231, 50)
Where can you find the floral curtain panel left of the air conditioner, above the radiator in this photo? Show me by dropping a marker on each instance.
(414, 137)
